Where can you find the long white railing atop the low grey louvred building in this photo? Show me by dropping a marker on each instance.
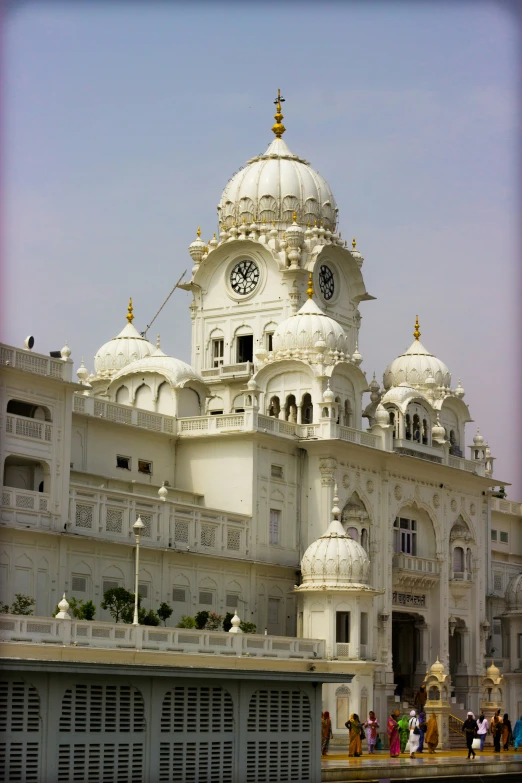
(82, 633)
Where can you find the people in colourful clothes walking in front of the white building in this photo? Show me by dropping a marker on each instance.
(410, 733)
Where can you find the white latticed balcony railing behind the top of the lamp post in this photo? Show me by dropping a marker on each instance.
(110, 515)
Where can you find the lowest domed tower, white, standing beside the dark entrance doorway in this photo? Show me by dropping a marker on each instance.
(335, 603)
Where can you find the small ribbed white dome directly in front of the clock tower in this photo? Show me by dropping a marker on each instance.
(309, 326)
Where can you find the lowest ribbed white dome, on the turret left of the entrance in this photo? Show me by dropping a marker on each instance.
(335, 561)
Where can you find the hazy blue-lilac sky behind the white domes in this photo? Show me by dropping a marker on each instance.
(122, 123)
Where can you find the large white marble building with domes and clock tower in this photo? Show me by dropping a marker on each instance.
(235, 462)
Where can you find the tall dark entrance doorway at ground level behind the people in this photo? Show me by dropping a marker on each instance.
(405, 653)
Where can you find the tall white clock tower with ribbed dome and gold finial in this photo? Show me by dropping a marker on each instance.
(278, 222)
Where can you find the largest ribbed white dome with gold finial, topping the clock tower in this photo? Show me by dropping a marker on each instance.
(271, 187)
